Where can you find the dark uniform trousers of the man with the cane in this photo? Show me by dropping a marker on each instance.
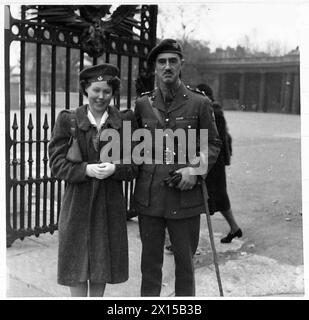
(184, 237)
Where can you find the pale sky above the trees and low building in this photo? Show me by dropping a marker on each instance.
(259, 24)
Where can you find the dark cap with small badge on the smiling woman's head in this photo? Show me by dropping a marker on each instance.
(100, 72)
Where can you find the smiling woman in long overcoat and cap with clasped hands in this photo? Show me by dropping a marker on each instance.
(93, 245)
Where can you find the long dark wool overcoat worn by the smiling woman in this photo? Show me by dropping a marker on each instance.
(92, 222)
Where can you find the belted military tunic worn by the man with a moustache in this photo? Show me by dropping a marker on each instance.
(189, 109)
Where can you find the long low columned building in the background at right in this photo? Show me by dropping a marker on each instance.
(263, 84)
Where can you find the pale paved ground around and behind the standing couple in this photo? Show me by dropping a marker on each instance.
(264, 183)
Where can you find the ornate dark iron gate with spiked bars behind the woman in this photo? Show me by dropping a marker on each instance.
(33, 196)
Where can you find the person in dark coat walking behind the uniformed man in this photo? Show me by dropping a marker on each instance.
(216, 178)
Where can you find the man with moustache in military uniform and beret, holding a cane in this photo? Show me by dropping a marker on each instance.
(171, 105)
